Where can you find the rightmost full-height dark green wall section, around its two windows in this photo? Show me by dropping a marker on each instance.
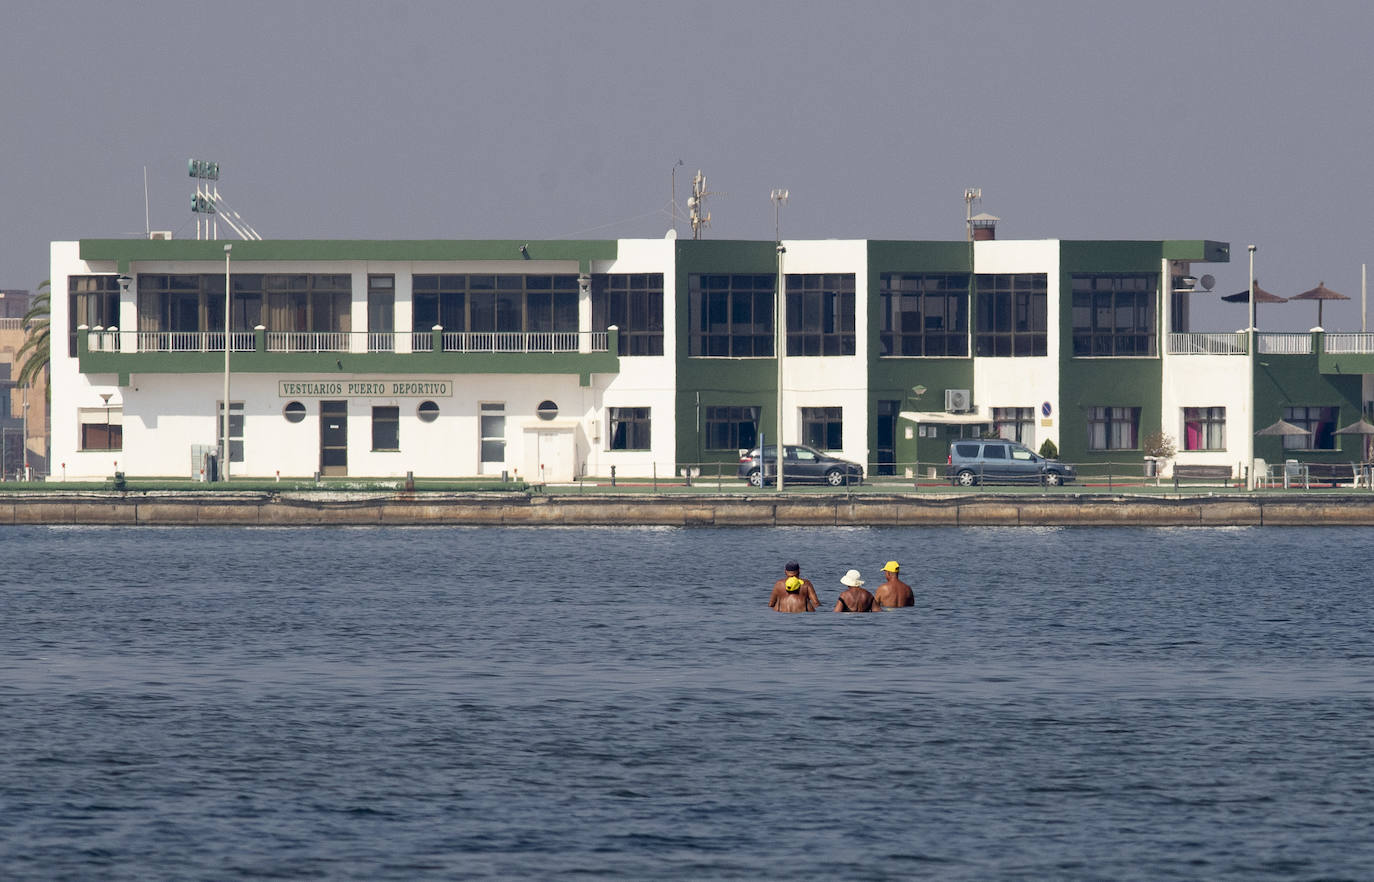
(1105, 383)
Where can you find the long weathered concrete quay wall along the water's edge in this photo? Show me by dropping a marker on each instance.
(254, 509)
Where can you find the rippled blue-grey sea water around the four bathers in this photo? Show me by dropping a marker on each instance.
(398, 704)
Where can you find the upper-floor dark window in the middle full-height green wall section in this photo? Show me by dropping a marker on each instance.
(924, 315)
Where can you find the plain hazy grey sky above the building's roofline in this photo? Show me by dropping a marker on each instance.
(1235, 122)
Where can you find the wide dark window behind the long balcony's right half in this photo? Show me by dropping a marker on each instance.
(495, 304)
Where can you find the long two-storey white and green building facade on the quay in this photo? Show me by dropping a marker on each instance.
(557, 361)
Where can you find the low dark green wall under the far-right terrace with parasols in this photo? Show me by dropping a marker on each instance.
(1296, 381)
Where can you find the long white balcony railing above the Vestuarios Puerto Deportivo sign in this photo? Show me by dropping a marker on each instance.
(109, 340)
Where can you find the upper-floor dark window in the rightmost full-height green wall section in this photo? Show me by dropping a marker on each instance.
(1114, 314)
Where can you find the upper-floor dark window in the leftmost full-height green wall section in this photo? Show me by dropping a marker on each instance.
(730, 315)
